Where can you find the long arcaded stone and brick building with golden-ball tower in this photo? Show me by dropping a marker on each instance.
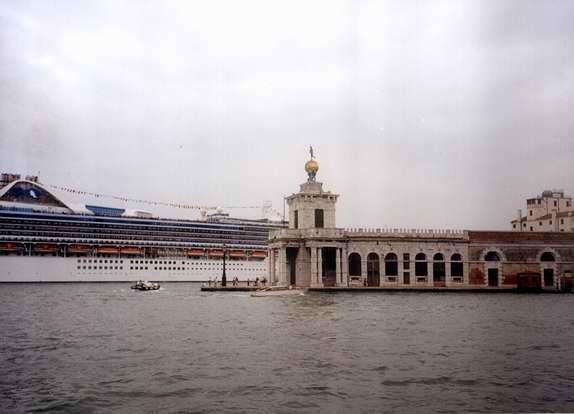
(313, 252)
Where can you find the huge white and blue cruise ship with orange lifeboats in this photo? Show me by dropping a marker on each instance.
(44, 239)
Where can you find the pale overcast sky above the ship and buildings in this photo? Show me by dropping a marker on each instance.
(421, 113)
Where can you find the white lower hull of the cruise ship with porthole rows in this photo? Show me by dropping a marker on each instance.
(97, 269)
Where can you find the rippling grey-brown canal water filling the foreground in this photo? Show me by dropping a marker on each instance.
(105, 348)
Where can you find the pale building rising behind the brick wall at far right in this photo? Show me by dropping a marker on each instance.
(551, 211)
